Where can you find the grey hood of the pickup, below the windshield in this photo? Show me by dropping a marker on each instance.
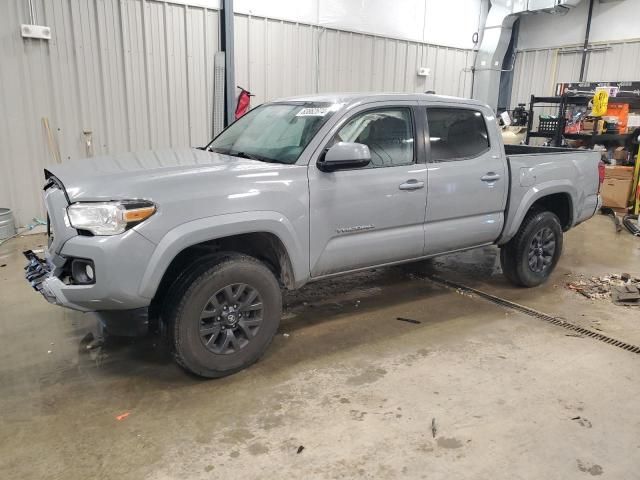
(152, 174)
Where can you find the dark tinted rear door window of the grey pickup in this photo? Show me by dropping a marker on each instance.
(456, 134)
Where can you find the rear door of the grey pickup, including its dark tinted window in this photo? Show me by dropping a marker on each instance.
(467, 178)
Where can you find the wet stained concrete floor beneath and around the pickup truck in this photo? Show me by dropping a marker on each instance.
(346, 380)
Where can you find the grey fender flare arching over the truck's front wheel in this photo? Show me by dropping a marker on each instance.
(211, 228)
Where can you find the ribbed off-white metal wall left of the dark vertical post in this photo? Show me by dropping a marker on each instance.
(134, 74)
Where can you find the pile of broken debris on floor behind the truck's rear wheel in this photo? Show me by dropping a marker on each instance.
(623, 289)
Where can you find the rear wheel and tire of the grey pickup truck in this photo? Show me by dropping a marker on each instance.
(530, 257)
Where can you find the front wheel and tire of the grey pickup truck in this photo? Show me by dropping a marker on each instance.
(215, 326)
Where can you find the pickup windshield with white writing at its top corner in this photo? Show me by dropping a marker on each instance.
(275, 132)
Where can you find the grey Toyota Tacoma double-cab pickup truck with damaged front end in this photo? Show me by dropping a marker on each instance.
(301, 189)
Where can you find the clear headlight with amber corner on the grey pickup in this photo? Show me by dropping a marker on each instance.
(109, 218)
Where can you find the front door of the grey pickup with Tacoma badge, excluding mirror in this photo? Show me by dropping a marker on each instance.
(372, 215)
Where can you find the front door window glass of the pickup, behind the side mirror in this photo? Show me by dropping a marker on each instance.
(387, 132)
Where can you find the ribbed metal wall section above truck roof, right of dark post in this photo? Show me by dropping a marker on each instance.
(276, 58)
